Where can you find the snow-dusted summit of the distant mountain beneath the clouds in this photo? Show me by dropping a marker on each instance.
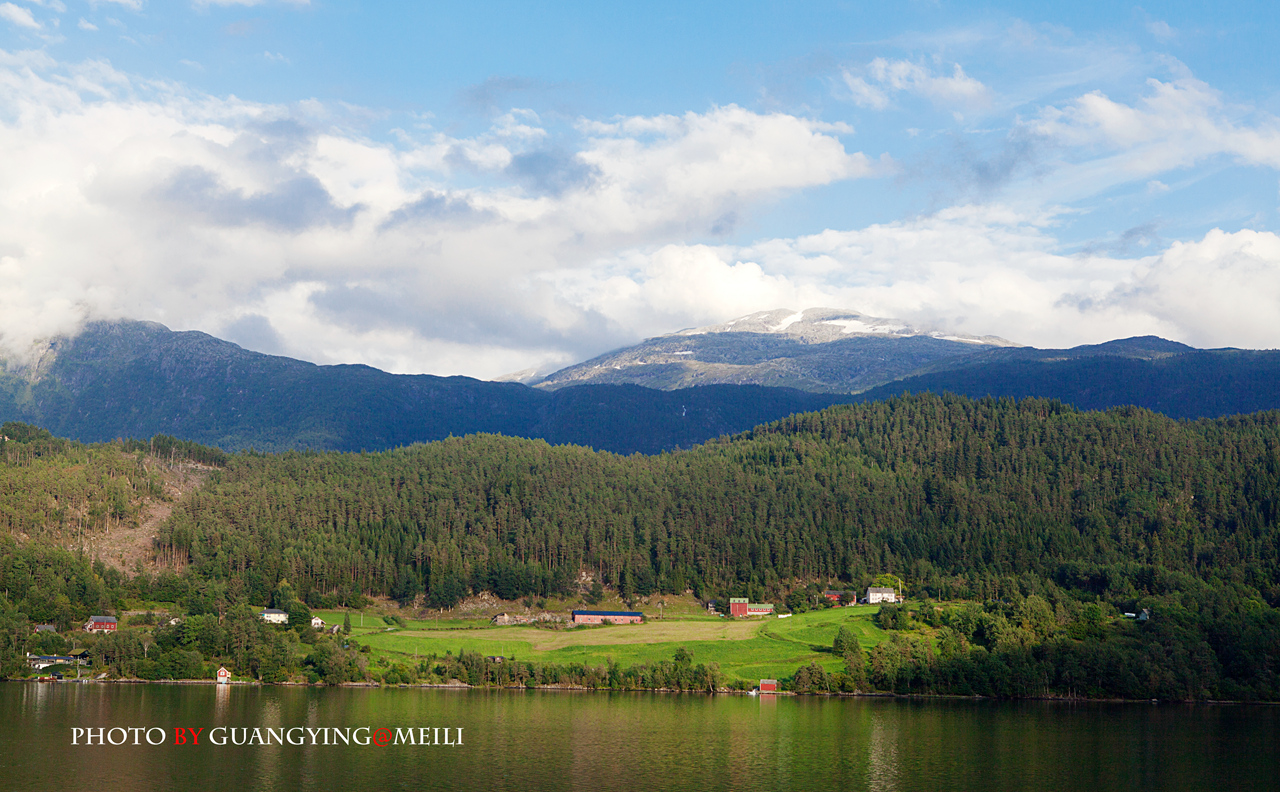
(822, 326)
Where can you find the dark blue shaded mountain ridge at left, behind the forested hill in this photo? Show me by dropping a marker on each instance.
(138, 379)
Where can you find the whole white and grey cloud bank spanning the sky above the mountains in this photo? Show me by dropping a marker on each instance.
(543, 239)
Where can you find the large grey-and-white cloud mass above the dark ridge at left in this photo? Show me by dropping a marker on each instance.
(121, 198)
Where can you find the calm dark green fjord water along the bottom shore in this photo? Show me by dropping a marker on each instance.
(540, 740)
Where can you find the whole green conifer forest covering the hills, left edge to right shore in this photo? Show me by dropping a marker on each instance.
(1030, 523)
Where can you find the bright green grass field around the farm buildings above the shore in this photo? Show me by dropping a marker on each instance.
(746, 649)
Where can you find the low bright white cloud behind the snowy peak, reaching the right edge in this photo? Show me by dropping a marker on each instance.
(982, 269)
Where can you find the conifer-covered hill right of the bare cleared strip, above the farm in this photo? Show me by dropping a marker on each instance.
(948, 492)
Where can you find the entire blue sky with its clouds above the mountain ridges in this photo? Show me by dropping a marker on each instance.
(478, 189)
